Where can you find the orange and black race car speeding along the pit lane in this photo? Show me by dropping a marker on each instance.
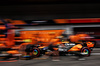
(66, 47)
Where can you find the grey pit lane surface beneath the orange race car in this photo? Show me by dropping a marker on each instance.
(65, 61)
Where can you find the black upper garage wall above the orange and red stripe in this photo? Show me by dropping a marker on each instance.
(50, 11)
